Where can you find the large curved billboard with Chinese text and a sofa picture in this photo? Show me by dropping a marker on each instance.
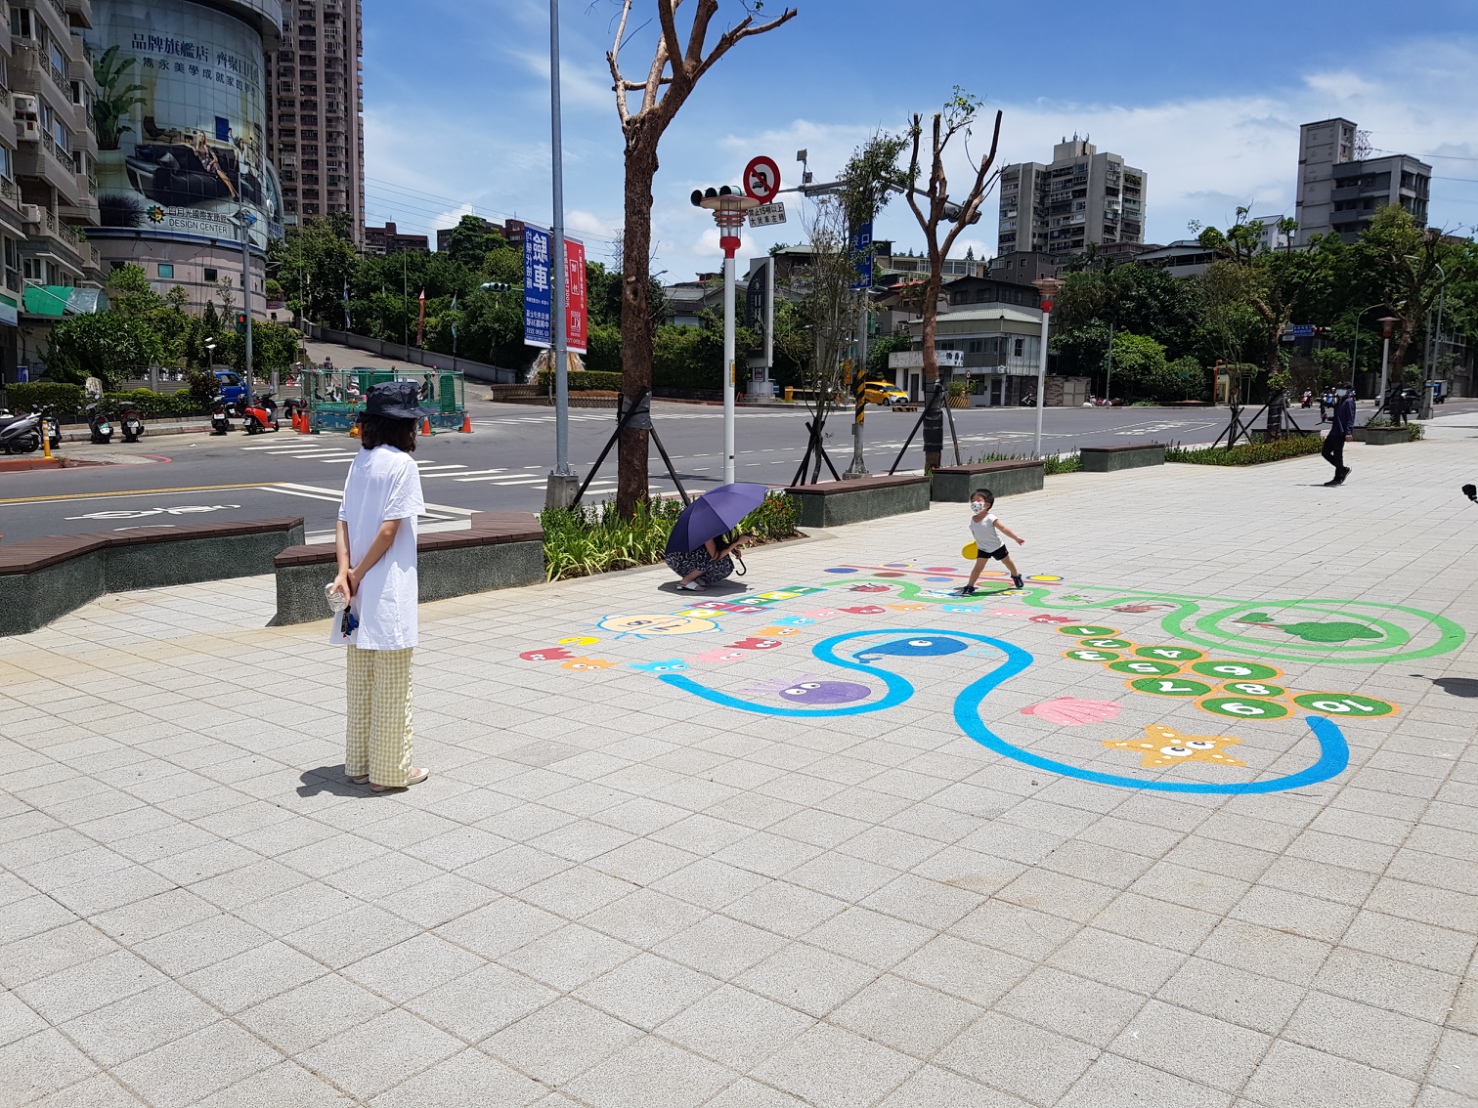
(181, 122)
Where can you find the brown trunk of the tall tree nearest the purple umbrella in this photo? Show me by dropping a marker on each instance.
(636, 323)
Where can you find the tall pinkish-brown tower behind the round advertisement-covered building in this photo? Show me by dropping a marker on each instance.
(316, 112)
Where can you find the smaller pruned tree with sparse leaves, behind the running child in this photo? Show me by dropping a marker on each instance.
(957, 117)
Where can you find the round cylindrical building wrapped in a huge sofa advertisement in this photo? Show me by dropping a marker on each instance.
(183, 172)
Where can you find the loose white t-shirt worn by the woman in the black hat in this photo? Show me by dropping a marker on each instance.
(384, 485)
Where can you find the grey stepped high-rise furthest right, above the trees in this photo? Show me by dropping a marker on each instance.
(1341, 187)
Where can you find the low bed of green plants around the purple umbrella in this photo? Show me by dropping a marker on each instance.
(595, 540)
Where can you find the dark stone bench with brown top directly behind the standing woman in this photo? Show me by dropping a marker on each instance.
(500, 550)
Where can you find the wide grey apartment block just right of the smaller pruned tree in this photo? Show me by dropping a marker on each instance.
(1081, 197)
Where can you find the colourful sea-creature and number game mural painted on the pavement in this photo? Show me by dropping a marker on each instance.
(1164, 692)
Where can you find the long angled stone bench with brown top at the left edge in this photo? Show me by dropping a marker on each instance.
(45, 578)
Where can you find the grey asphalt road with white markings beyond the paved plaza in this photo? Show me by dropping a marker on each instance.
(503, 465)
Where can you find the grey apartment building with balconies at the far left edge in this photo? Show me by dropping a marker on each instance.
(48, 163)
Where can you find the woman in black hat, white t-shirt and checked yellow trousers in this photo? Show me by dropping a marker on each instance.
(376, 544)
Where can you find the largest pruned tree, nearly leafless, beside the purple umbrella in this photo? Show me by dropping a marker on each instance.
(670, 81)
